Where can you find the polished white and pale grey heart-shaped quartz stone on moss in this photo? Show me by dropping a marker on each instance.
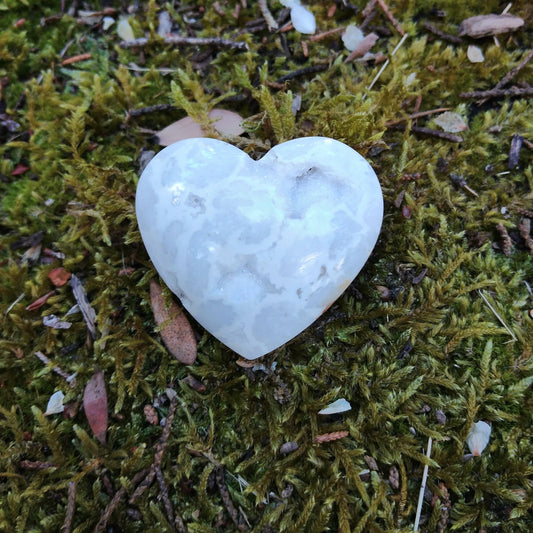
(257, 250)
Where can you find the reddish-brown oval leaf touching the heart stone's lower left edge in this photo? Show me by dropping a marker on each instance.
(175, 329)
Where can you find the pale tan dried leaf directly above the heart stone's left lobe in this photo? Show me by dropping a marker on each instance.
(225, 122)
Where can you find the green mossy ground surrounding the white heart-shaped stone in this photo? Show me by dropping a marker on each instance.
(433, 344)
